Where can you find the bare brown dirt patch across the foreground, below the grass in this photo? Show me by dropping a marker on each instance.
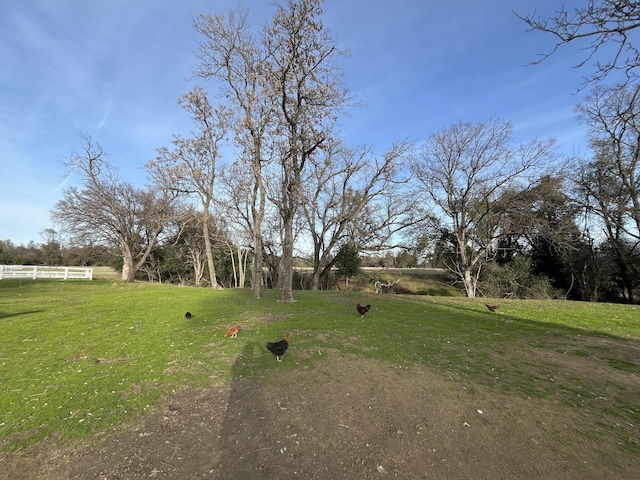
(342, 417)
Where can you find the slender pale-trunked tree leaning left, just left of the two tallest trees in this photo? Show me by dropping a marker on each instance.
(191, 167)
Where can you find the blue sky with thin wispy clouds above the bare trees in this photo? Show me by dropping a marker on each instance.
(114, 69)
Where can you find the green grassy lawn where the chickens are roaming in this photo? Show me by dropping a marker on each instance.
(79, 356)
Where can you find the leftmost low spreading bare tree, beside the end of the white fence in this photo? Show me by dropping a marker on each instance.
(109, 212)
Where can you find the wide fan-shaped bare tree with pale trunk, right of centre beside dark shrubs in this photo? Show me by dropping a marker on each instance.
(473, 175)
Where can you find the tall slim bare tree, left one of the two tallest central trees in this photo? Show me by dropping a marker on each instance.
(230, 54)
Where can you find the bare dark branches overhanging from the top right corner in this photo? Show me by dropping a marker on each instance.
(606, 26)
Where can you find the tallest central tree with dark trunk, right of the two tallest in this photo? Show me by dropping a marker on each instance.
(306, 81)
